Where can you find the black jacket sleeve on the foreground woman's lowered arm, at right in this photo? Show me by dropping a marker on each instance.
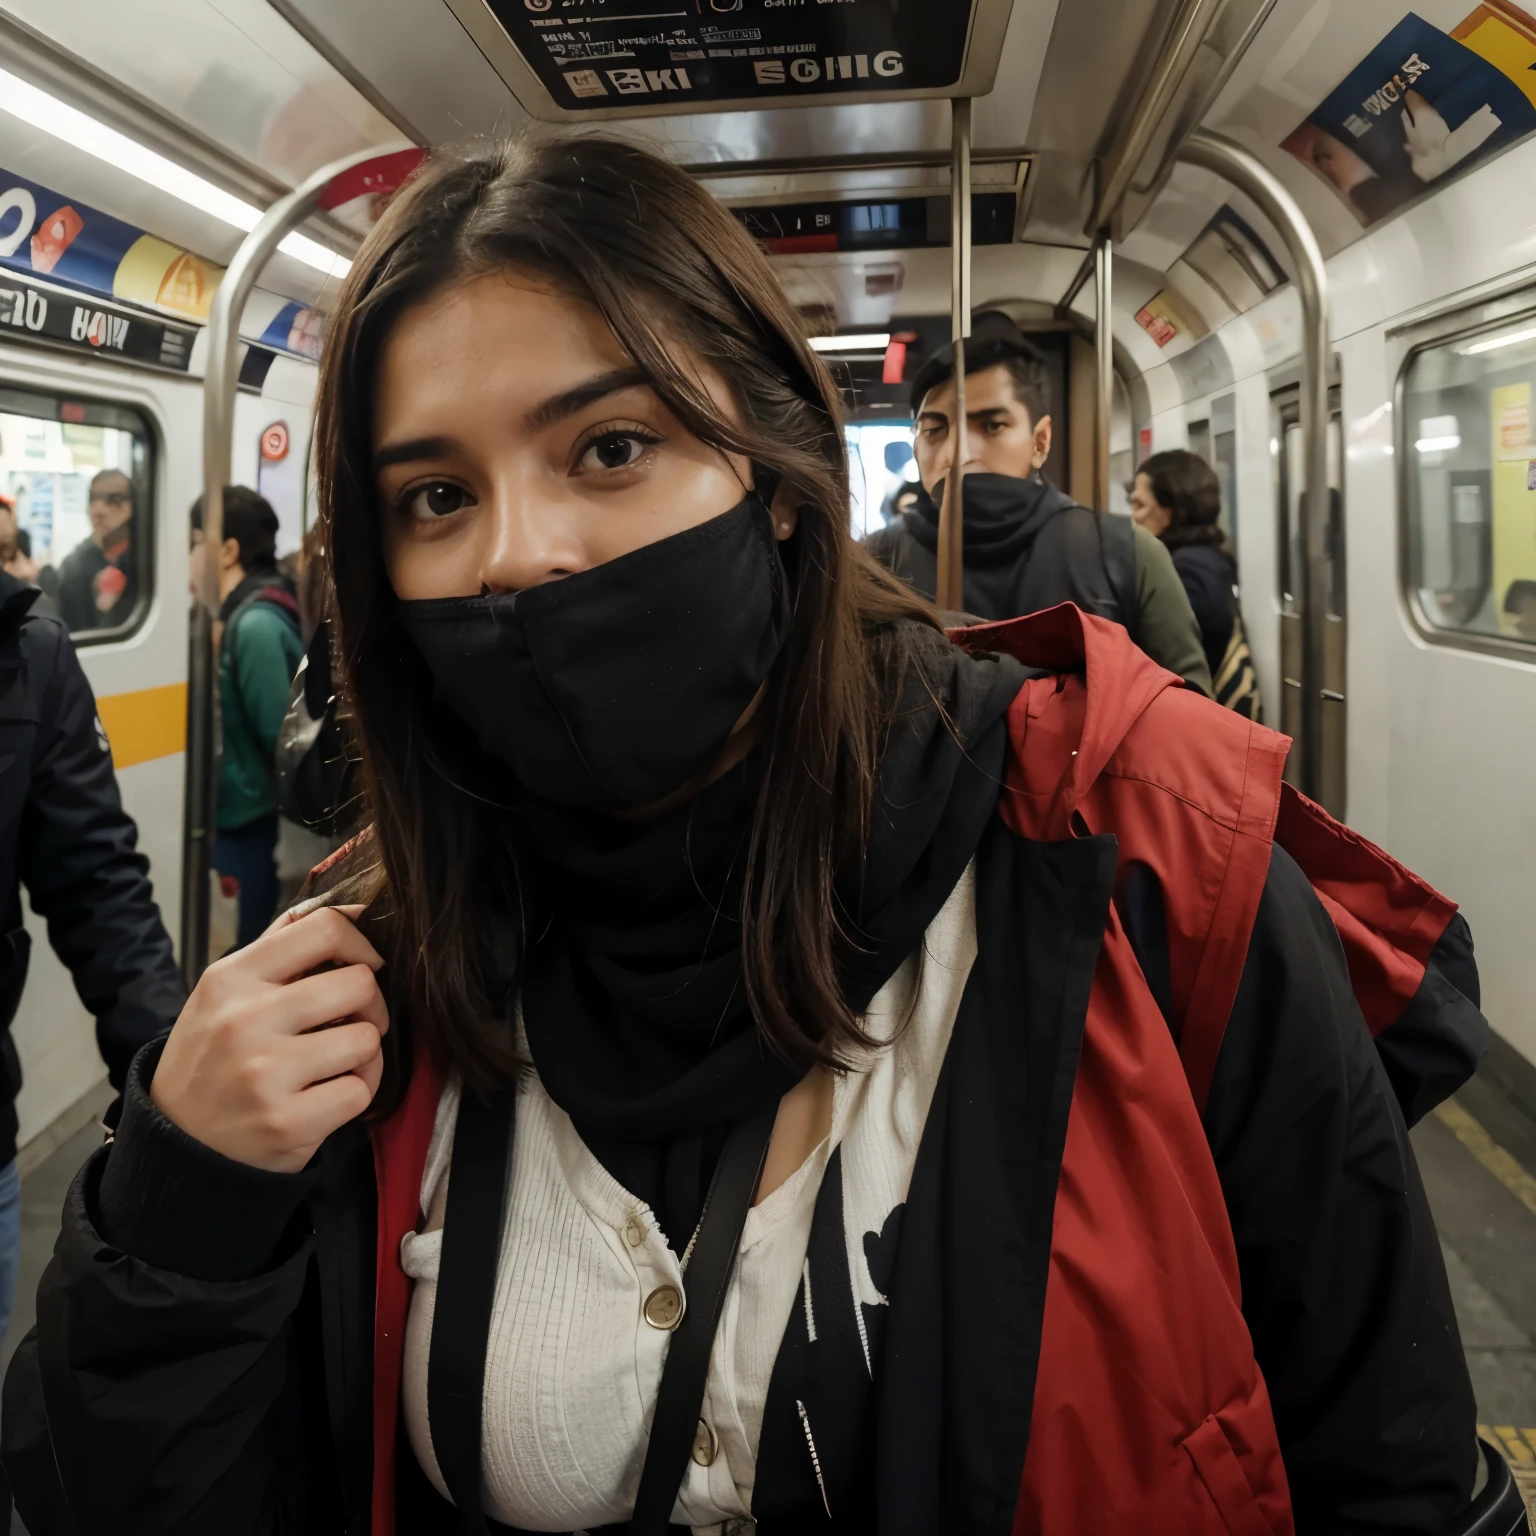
(1343, 1282)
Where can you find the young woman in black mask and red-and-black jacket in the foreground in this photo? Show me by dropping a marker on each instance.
(766, 1064)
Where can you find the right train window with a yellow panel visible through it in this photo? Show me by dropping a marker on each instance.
(1471, 478)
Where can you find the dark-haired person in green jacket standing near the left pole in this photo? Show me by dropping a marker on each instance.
(259, 654)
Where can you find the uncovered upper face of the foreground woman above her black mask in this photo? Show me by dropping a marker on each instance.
(517, 443)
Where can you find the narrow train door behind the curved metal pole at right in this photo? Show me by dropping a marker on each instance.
(1332, 792)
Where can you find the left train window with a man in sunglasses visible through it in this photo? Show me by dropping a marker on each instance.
(82, 477)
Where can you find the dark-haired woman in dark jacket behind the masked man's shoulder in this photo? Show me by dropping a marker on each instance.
(1177, 498)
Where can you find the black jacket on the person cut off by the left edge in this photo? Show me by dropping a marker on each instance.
(67, 838)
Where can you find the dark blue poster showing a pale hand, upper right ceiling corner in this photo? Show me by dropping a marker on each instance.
(1420, 107)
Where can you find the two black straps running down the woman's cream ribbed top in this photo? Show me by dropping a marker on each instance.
(472, 1228)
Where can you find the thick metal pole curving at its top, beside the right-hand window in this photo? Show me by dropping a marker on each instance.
(1250, 176)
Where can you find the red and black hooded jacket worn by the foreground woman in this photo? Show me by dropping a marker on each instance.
(1202, 1018)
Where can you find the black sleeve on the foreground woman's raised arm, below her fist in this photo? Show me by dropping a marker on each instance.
(165, 1388)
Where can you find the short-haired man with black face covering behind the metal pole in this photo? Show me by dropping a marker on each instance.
(1028, 546)
